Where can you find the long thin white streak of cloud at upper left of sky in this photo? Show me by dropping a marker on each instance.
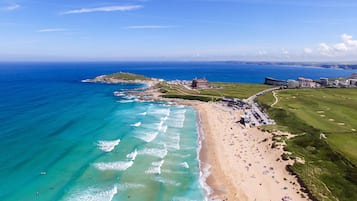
(103, 9)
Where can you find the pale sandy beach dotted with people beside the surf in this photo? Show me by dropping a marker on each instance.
(243, 164)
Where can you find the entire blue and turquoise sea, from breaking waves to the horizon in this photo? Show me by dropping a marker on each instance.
(61, 139)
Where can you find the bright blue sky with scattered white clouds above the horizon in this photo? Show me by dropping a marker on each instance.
(122, 30)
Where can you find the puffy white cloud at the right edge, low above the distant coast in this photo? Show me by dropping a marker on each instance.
(346, 47)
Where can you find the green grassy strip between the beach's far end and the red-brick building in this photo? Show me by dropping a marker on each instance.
(218, 91)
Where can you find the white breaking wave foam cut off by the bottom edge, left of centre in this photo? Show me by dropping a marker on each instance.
(94, 194)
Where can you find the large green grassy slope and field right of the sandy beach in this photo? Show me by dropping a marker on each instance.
(330, 170)
